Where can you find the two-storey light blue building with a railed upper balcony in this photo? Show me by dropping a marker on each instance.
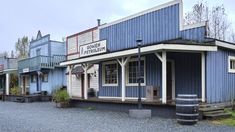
(41, 70)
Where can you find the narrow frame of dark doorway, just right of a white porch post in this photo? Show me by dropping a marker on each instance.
(173, 78)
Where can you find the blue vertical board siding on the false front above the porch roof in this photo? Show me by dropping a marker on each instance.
(153, 27)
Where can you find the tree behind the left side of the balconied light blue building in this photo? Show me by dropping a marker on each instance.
(22, 47)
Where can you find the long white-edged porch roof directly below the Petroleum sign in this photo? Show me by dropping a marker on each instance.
(169, 46)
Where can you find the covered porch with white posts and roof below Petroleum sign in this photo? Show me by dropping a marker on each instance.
(168, 70)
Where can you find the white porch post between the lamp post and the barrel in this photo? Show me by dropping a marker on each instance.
(164, 64)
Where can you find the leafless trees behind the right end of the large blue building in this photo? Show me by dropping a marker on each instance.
(216, 18)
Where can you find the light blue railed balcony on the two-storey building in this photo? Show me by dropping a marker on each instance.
(40, 62)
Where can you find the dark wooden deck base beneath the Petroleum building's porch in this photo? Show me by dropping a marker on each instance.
(119, 101)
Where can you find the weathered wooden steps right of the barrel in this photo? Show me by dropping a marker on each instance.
(212, 112)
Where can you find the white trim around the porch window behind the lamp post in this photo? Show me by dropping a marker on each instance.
(127, 72)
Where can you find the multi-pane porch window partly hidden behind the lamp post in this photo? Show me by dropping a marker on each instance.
(132, 72)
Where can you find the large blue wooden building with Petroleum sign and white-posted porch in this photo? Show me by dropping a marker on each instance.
(176, 58)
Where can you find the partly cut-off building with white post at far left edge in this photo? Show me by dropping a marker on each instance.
(8, 69)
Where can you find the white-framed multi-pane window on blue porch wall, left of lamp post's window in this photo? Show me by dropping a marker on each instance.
(110, 74)
